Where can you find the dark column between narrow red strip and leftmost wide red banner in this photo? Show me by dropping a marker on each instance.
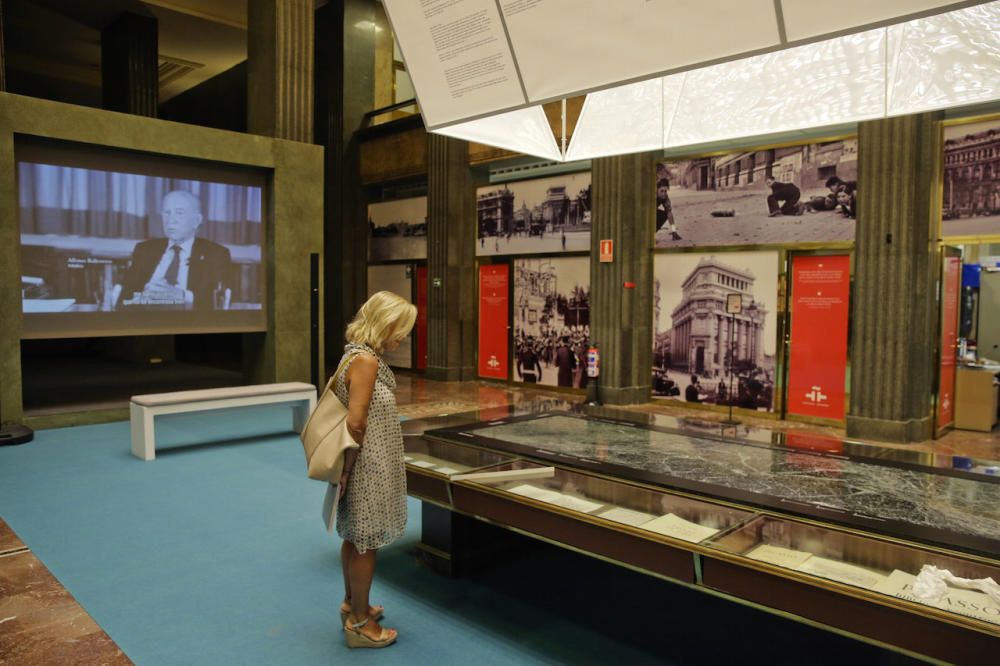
(451, 260)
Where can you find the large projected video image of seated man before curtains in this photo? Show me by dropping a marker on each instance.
(96, 240)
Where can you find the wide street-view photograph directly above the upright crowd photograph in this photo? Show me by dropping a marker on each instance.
(534, 216)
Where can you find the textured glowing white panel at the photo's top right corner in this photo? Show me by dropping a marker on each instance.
(946, 60)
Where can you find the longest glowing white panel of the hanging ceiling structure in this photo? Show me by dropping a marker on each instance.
(824, 83)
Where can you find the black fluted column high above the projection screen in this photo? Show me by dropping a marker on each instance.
(130, 80)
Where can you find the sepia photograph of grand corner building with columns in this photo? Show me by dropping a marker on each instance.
(701, 353)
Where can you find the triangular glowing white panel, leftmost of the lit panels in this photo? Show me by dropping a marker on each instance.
(524, 131)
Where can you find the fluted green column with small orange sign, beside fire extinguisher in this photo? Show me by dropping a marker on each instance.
(621, 317)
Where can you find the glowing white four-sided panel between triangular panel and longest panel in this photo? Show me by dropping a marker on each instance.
(626, 119)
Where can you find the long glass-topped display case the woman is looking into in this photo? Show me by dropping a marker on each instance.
(836, 539)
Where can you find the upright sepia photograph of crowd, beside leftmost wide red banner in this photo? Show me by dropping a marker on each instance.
(551, 321)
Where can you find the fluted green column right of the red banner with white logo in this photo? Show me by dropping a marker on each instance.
(897, 263)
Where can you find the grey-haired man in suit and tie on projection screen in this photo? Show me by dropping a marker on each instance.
(180, 270)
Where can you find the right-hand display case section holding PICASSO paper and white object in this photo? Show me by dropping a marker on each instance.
(862, 584)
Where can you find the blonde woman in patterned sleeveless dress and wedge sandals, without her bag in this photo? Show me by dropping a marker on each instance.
(372, 510)
